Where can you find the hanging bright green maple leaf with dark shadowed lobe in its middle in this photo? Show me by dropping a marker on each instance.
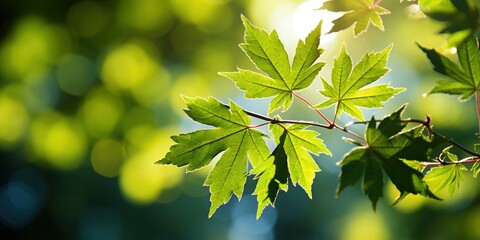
(292, 152)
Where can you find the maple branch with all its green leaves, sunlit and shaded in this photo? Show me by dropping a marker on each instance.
(408, 155)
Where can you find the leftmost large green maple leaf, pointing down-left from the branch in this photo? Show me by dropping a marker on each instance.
(231, 136)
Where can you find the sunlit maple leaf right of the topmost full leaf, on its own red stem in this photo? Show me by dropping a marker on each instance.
(347, 88)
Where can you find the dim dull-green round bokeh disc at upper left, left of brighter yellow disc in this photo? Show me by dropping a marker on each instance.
(75, 74)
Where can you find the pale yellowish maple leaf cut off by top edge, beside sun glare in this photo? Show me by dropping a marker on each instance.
(359, 12)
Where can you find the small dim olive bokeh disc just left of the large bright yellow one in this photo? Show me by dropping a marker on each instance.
(107, 157)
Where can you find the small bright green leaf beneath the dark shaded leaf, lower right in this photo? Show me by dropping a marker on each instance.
(445, 176)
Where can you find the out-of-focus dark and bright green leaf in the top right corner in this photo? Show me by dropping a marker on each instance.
(460, 17)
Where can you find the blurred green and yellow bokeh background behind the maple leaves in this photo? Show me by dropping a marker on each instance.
(90, 92)
